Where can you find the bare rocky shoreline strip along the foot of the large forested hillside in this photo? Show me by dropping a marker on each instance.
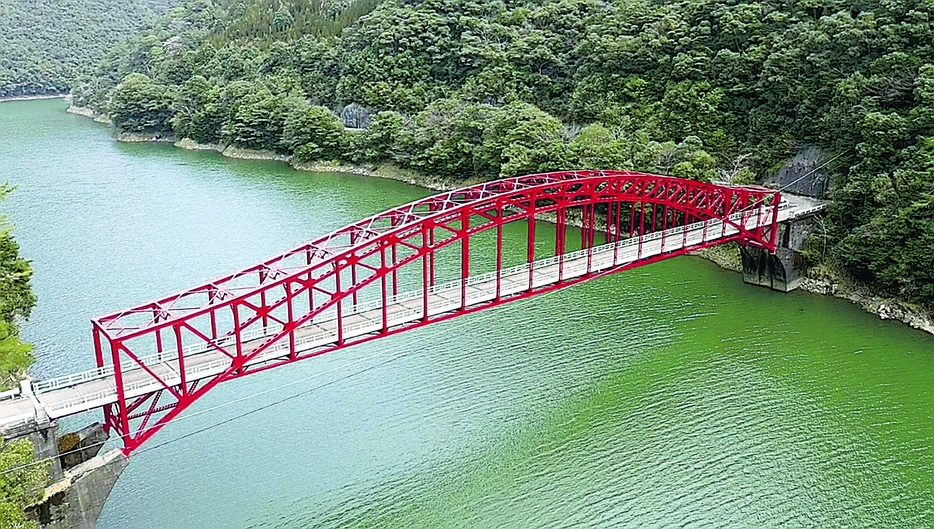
(886, 308)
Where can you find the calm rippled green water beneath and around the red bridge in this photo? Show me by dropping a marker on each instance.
(668, 396)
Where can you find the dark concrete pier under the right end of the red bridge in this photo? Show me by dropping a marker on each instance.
(784, 270)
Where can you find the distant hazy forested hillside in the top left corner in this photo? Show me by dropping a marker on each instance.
(45, 43)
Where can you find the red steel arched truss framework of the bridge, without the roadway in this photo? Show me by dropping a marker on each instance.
(399, 237)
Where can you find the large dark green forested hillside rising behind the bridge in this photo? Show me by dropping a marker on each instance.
(474, 90)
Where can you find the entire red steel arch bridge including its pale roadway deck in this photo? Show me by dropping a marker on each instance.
(433, 259)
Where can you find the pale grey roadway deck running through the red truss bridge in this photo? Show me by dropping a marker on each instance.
(92, 389)
